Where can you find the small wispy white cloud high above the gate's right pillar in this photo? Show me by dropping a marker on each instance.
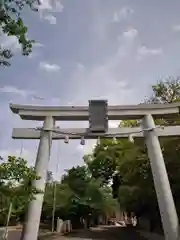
(144, 52)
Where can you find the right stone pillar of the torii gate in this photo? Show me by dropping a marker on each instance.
(167, 208)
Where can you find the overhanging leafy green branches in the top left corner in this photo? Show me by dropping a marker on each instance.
(11, 24)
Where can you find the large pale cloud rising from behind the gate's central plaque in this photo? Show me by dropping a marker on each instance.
(104, 80)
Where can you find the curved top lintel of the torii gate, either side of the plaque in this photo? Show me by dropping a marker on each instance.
(80, 113)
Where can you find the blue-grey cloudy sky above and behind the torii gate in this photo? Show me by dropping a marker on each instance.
(87, 49)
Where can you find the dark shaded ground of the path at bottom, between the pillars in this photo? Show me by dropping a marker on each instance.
(109, 233)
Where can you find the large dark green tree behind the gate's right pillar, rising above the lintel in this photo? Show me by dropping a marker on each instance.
(138, 186)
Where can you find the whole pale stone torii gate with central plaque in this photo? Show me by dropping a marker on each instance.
(98, 114)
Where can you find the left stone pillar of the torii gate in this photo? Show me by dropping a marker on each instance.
(31, 226)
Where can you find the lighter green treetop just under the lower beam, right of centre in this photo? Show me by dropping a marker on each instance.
(103, 161)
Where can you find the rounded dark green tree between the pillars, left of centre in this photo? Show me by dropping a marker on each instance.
(88, 196)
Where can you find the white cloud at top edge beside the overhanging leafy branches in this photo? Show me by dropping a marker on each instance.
(47, 7)
